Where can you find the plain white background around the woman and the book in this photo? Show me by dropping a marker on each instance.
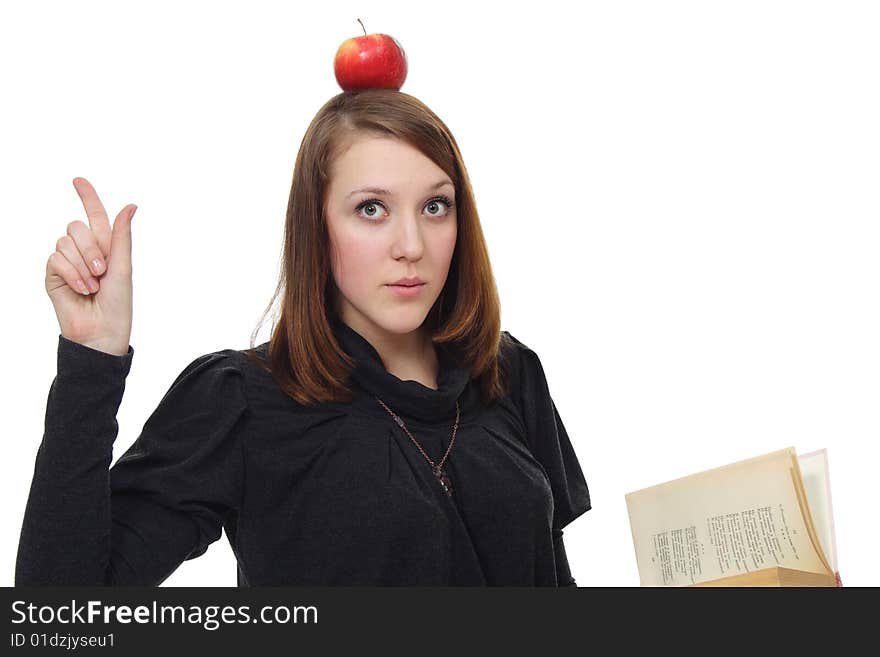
(680, 200)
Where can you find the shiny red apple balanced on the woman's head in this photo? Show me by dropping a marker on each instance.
(373, 61)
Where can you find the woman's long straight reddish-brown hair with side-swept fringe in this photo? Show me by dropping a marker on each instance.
(304, 356)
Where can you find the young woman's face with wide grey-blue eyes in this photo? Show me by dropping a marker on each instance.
(390, 214)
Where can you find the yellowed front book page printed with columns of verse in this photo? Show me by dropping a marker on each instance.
(722, 522)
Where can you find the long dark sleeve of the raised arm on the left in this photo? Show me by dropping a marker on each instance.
(161, 503)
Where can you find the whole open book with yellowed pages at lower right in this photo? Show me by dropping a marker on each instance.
(764, 521)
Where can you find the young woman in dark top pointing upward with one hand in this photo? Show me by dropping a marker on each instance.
(389, 433)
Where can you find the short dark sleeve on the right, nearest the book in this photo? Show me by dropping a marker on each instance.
(547, 436)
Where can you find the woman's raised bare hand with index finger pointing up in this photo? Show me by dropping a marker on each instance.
(88, 277)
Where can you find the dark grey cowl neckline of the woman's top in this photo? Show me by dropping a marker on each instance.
(407, 398)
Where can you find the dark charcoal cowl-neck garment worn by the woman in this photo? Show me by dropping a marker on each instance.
(334, 494)
